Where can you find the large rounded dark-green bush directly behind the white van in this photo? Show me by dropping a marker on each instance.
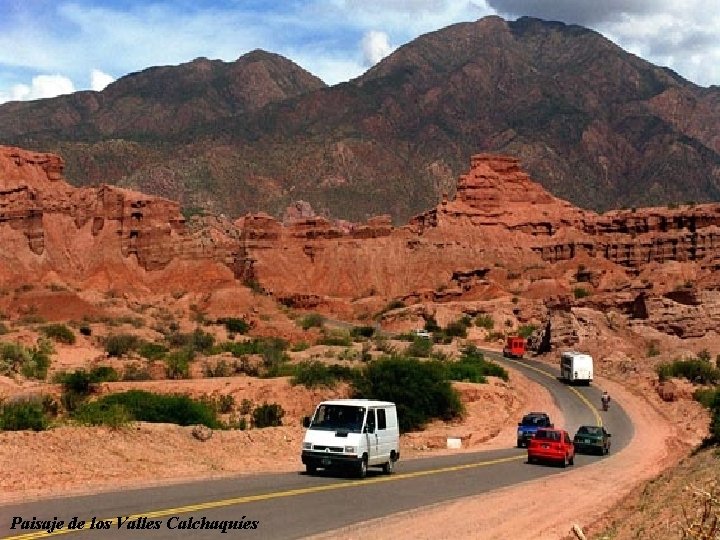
(419, 388)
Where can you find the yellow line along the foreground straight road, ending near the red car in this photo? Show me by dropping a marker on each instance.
(277, 495)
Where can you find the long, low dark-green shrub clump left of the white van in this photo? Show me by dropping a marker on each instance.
(145, 406)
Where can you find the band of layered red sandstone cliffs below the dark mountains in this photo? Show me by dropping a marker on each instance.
(502, 235)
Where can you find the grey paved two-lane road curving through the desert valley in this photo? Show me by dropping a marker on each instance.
(294, 505)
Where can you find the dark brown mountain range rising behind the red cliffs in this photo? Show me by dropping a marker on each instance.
(593, 123)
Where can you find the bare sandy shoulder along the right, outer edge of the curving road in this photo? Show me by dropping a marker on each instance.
(521, 512)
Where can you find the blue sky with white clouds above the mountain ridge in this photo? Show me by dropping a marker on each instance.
(52, 47)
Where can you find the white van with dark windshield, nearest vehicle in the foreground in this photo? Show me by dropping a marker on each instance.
(354, 433)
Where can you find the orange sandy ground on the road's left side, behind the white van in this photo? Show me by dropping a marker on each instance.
(71, 459)
